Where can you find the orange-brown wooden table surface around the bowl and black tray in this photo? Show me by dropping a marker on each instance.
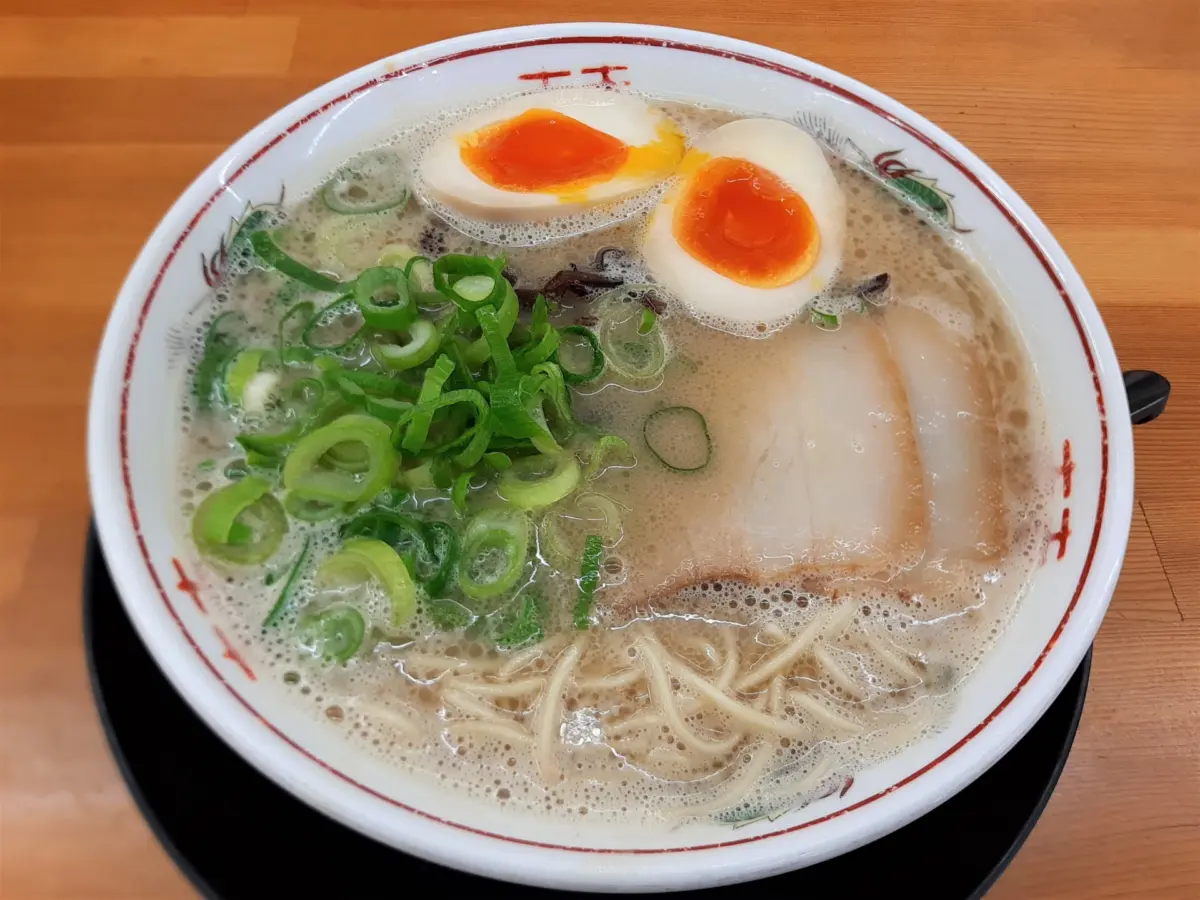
(109, 109)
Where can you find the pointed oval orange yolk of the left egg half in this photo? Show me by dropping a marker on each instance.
(545, 152)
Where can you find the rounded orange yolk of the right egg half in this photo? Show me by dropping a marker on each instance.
(745, 223)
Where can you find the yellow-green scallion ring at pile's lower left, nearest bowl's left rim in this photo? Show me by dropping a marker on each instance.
(241, 524)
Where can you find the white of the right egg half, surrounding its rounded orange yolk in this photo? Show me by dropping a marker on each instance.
(794, 158)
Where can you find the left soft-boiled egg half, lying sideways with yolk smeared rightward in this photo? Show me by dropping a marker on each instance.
(551, 154)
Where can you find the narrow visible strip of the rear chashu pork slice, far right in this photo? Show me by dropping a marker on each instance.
(957, 431)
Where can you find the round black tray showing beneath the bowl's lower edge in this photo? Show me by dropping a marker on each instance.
(238, 836)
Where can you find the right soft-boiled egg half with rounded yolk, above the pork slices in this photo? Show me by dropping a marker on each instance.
(755, 229)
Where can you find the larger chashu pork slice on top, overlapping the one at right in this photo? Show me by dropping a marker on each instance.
(819, 472)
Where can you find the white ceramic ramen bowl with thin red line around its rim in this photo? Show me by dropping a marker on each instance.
(131, 435)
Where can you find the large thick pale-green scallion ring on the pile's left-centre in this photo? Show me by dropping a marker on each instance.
(303, 472)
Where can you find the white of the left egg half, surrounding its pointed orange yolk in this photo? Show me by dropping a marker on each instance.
(451, 182)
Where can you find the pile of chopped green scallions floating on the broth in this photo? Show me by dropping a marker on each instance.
(421, 409)
